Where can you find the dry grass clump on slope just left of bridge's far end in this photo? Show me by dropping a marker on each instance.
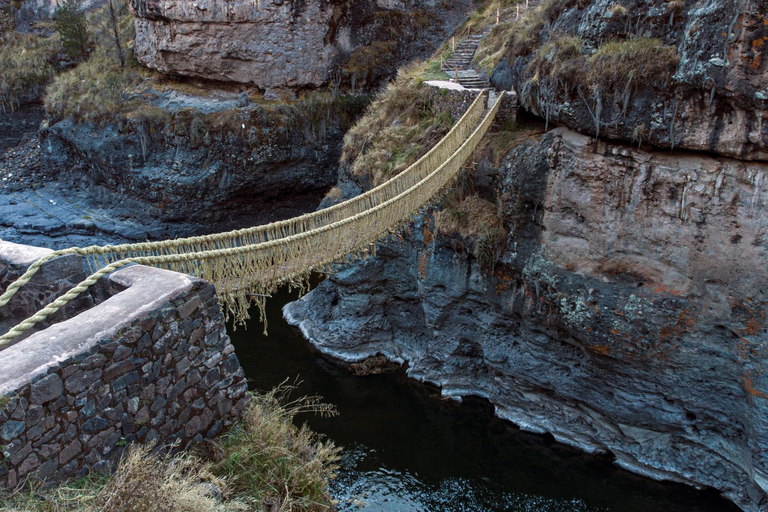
(399, 127)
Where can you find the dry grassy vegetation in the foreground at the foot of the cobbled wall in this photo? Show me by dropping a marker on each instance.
(266, 462)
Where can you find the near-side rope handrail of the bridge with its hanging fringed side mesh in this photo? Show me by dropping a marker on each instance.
(245, 274)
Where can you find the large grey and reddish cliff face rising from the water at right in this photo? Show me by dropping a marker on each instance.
(627, 312)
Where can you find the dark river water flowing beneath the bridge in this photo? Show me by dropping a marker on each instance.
(409, 450)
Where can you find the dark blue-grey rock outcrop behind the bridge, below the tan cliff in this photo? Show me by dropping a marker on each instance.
(206, 170)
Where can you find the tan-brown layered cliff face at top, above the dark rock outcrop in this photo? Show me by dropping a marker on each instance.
(276, 44)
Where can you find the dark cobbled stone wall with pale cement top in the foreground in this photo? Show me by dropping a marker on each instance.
(151, 363)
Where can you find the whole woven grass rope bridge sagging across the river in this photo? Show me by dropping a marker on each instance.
(247, 265)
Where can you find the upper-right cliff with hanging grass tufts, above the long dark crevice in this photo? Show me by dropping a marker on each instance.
(686, 74)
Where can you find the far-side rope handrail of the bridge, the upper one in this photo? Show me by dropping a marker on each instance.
(98, 256)
